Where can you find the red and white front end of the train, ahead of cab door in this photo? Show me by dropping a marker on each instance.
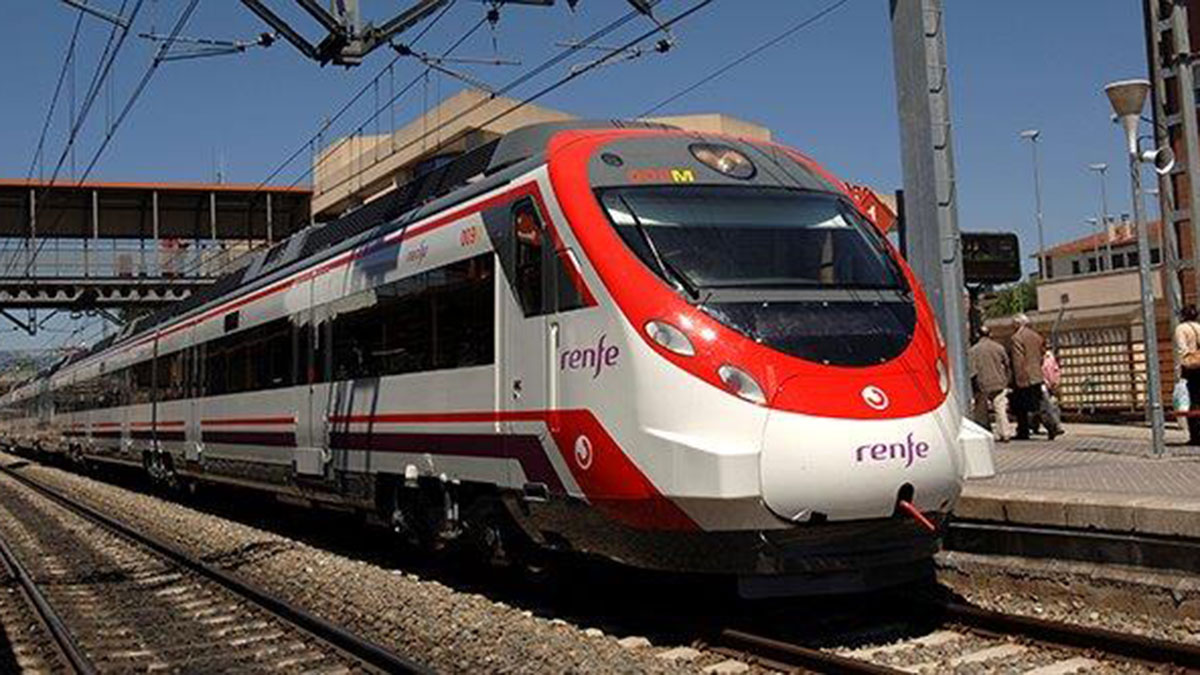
(787, 392)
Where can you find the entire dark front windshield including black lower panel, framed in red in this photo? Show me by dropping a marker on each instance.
(797, 271)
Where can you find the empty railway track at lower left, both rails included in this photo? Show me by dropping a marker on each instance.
(112, 599)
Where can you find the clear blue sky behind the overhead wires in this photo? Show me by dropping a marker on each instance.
(827, 91)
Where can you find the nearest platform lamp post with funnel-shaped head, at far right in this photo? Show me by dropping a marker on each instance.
(1129, 98)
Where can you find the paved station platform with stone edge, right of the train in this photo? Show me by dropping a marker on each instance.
(1094, 494)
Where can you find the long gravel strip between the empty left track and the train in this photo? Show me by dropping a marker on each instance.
(447, 630)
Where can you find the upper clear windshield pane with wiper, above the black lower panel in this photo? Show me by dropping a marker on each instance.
(752, 238)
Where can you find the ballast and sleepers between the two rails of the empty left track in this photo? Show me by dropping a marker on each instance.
(130, 610)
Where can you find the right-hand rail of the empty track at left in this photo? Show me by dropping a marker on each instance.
(337, 636)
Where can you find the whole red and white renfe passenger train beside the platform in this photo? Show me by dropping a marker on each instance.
(680, 351)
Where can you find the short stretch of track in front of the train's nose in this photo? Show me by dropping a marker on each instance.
(971, 640)
